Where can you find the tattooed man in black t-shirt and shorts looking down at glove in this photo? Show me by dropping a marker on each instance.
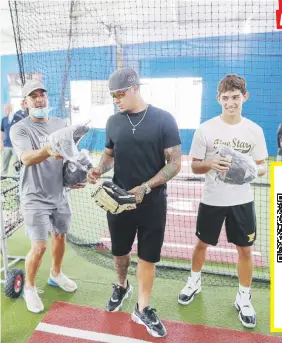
(144, 148)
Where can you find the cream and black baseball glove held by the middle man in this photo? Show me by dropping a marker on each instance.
(112, 198)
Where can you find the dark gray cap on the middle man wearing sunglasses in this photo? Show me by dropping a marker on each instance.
(123, 78)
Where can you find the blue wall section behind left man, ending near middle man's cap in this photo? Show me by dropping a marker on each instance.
(85, 64)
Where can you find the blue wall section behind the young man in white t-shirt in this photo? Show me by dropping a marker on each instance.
(257, 57)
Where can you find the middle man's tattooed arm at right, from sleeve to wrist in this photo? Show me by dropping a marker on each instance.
(172, 168)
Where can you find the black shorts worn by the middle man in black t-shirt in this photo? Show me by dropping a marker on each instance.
(148, 222)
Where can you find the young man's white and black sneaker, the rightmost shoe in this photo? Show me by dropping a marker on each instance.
(247, 314)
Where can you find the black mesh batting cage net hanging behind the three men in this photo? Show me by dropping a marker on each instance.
(181, 50)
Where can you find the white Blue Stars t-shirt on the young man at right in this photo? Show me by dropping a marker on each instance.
(245, 137)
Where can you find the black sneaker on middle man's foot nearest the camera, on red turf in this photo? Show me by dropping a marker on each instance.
(149, 319)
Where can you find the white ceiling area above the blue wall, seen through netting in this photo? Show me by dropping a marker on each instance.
(44, 25)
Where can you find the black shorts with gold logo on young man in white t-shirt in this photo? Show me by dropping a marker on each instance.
(240, 222)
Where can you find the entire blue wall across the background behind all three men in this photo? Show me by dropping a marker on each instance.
(257, 57)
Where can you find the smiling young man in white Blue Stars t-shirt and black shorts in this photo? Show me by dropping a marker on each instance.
(232, 203)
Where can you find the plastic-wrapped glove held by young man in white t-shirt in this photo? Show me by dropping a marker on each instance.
(243, 169)
